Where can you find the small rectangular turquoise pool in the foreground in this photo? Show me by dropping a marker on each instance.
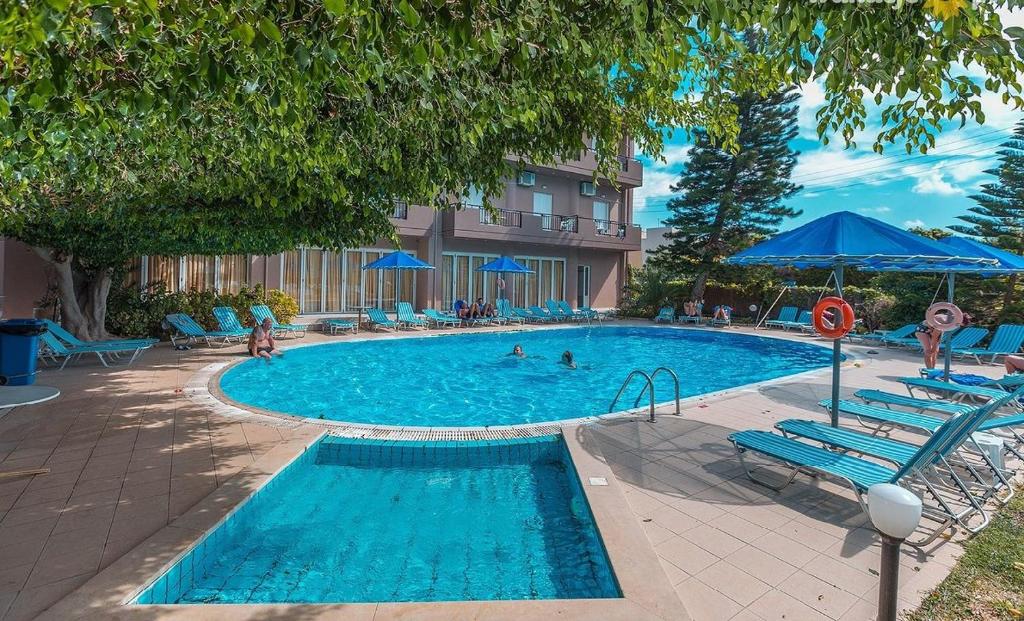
(354, 521)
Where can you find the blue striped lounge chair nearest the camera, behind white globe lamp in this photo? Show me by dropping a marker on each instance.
(861, 473)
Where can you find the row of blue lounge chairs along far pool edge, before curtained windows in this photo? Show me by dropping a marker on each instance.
(405, 318)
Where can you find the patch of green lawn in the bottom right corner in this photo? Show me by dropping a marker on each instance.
(989, 582)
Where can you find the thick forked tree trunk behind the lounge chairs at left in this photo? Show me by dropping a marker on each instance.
(83, 297)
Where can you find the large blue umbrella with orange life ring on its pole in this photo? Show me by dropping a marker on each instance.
(844, 239)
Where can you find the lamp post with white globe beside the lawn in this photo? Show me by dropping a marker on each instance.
(895, 514)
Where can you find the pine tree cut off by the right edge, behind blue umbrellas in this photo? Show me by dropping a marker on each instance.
(999, 216)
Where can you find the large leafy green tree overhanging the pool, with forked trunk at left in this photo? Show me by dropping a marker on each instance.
(150, 127)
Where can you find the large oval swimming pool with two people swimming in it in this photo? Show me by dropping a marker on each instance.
(468, 380)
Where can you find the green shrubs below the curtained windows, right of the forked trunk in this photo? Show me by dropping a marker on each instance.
(135, 313)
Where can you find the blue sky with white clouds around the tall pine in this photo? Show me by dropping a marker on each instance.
(907, 191)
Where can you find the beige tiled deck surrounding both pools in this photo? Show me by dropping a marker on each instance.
(131, 452)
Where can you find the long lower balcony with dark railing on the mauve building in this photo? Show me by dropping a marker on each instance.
(525, 227)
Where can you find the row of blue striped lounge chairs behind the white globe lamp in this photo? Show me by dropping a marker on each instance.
(949, 469)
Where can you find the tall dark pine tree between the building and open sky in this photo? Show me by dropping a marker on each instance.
(731, 200)
